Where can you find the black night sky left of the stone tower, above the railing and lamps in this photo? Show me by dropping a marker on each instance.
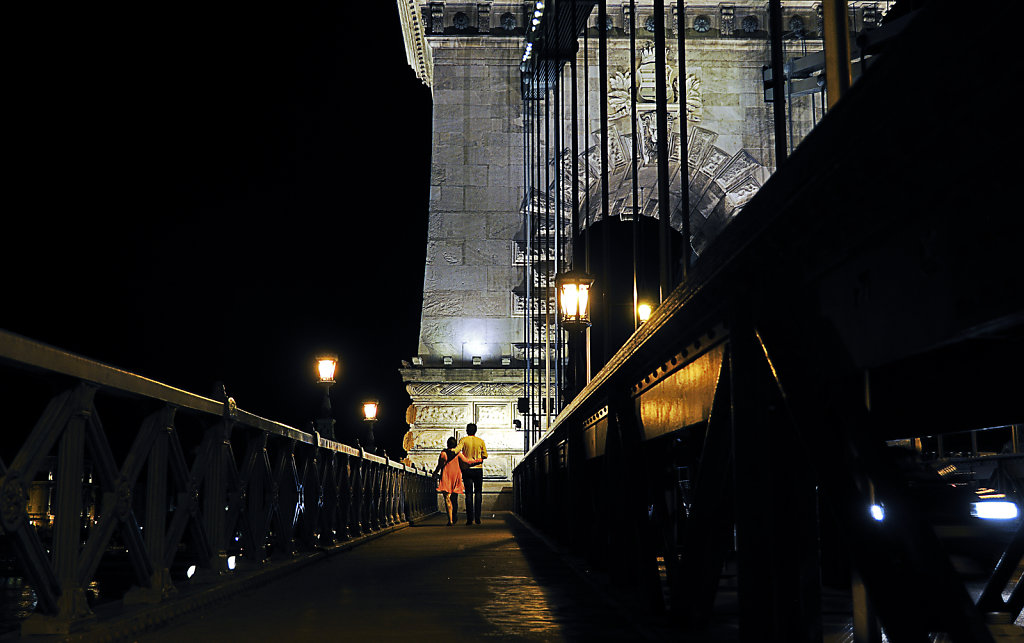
(209, 192)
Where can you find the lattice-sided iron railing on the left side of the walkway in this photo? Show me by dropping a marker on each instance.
(121, 473)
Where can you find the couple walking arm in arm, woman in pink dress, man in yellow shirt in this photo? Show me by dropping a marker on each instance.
(461, 469)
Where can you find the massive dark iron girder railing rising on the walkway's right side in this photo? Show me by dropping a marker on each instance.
(860, 298)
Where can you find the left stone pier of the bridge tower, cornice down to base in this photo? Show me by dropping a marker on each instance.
(468, 55)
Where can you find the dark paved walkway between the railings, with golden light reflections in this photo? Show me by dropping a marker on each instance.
(497, 581)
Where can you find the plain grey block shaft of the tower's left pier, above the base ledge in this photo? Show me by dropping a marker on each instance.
(477, 187)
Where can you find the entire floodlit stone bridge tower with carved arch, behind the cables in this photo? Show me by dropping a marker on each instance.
(474, 339)
